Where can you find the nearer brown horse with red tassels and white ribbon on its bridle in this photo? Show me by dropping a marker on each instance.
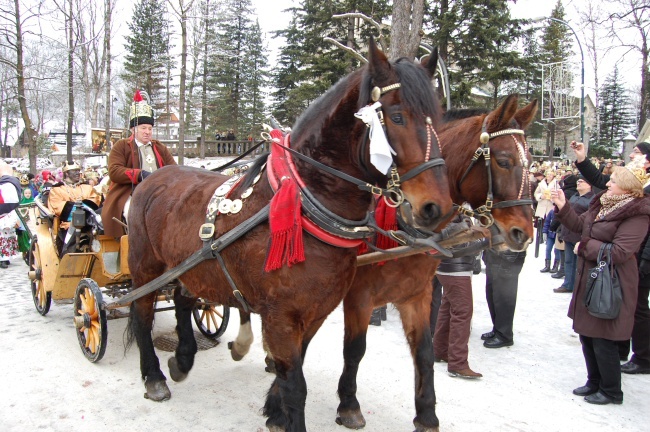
(168, 209)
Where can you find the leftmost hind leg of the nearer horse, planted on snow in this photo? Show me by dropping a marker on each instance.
(140, 325)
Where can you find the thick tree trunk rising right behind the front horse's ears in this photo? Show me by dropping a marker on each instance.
(406, 28)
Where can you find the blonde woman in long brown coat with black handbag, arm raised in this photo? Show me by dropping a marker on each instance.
(615, 216)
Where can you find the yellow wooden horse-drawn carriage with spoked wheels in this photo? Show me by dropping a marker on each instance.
(93, 276)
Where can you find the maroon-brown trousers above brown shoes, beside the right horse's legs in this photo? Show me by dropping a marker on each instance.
(454, 318)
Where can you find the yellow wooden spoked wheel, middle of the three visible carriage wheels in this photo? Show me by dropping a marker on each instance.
(90, 320)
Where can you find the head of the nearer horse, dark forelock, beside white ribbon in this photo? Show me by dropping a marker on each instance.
(411, 113)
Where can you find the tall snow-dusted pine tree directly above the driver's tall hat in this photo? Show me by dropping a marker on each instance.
(147, 49)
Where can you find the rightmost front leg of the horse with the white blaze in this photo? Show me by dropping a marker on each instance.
(415, 320)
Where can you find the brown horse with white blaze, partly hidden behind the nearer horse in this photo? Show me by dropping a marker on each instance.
(407, 282)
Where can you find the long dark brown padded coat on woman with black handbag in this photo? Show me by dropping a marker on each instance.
(622, 228)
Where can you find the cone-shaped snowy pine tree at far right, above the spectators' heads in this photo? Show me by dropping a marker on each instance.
(616, 115)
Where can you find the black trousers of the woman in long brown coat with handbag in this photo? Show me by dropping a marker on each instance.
(603, 366)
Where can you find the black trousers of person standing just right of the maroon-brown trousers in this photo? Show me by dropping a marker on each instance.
(502, 280)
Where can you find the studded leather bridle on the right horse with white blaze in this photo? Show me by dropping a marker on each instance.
(483, 214)
